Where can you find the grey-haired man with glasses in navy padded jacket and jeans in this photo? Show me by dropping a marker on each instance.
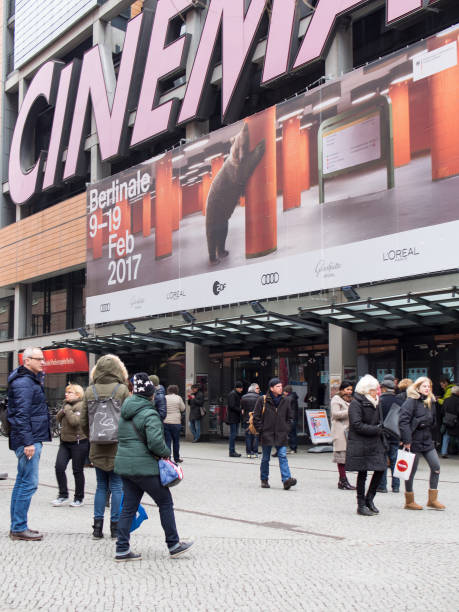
(29, 421)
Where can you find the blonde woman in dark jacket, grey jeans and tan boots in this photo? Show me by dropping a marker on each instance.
(417, 419)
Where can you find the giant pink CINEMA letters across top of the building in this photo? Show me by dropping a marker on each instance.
(150, 57)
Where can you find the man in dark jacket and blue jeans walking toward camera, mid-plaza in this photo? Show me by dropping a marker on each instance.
(273, 418)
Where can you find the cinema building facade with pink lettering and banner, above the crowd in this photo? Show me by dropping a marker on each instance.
(231, 189)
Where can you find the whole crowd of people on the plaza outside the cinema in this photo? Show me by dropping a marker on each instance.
(148, 429)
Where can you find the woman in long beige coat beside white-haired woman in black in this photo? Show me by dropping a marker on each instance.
(339, 408)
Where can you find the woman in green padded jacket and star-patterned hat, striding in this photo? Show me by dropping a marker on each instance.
(140, 444)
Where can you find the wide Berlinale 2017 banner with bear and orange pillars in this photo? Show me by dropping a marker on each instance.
(352, 182)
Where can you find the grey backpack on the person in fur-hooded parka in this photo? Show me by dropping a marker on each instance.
(103, 415)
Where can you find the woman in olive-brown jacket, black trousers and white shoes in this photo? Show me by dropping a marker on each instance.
(74, 446)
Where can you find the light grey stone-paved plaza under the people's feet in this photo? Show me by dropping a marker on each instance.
(303, 549)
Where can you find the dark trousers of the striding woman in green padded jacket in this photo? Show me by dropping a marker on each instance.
(134, 487)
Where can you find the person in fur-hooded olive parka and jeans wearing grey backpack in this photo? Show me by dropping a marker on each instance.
(107, 385)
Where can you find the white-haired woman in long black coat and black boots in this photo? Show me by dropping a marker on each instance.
(365, 448)
